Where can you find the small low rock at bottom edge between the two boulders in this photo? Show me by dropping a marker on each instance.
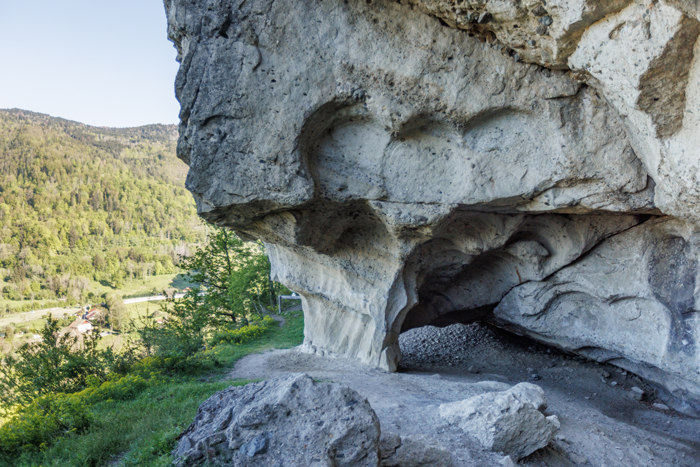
(412, 451)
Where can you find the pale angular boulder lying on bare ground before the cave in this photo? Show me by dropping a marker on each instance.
(508, 422)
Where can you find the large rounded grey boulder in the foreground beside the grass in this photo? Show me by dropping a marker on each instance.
(285, 421)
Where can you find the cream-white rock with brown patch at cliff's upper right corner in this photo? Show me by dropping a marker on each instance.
(644, 61)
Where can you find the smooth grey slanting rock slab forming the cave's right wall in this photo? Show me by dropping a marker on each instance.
(653, 295)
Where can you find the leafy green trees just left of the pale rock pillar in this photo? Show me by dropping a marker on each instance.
(236, 280)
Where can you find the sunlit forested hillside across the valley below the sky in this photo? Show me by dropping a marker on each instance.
(82, 205)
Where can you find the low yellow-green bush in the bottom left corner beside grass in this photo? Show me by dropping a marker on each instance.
(37, 424)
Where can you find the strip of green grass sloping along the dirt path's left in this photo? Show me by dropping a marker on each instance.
(142, 432)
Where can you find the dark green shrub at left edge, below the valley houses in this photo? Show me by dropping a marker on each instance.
(57, 363)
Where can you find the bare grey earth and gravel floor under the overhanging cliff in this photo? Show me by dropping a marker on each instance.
(601, 424)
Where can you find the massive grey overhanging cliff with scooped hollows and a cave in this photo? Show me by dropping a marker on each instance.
(433, 161)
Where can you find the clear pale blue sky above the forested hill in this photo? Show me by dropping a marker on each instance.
(100, 62)
